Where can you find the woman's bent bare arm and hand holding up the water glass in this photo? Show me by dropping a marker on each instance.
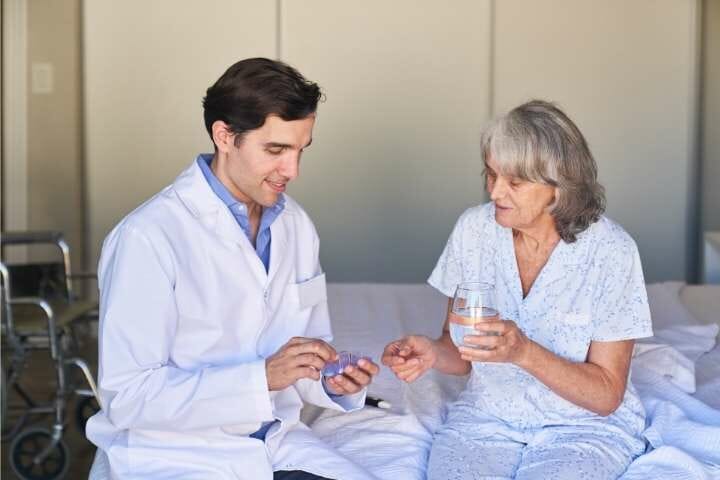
(598, 384)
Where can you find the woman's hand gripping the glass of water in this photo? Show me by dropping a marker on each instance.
(497, 341)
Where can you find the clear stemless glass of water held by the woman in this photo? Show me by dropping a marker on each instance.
(473, 302)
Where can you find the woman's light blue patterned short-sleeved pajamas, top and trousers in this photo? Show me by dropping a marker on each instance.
(507, 424)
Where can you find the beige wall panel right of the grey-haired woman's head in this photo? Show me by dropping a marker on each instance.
(624, 72)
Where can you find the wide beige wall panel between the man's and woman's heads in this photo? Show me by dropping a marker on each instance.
(396, 158)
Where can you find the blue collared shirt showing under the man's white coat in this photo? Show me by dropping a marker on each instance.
(239, 210)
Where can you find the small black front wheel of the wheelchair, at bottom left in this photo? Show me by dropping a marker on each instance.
(27, 445)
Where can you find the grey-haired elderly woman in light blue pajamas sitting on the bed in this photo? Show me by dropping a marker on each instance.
(548, 395)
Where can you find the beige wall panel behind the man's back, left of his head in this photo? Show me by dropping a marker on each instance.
(147, 66)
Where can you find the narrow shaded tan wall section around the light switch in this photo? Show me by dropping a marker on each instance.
(54, 149)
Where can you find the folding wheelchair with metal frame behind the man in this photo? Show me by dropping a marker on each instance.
(41, 311)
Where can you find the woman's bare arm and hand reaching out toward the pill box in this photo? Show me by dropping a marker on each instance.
(413, 355)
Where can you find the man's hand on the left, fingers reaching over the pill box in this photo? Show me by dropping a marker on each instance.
(299, 358)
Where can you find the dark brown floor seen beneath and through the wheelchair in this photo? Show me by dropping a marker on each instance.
(39, 381)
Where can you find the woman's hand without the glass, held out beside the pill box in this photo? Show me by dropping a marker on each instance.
(410, 357)
